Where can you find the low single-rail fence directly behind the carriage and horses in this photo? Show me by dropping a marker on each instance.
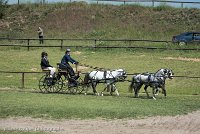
(23, 75)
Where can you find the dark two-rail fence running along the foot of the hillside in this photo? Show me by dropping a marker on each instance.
(94, 43)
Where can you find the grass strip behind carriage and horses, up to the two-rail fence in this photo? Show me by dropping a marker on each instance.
(133, 61)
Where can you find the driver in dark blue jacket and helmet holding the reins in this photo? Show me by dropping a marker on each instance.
(66, 66)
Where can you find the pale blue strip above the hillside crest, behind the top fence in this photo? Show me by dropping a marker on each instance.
(178, 5)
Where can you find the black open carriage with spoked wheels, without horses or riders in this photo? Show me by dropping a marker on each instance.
(60, 82)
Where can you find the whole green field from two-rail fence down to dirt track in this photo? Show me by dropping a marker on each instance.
(183, 93)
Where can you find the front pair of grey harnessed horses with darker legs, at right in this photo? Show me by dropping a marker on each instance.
(154, 80)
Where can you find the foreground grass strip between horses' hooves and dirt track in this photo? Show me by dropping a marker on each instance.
(59, 106)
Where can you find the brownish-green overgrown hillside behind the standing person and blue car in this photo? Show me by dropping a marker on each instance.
(81, 20)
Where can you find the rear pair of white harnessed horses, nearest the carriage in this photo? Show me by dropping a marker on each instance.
(107, 77)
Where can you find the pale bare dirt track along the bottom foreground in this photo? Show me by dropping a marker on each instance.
(181, 124)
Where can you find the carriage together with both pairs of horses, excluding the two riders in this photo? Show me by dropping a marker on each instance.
(61, 81)
